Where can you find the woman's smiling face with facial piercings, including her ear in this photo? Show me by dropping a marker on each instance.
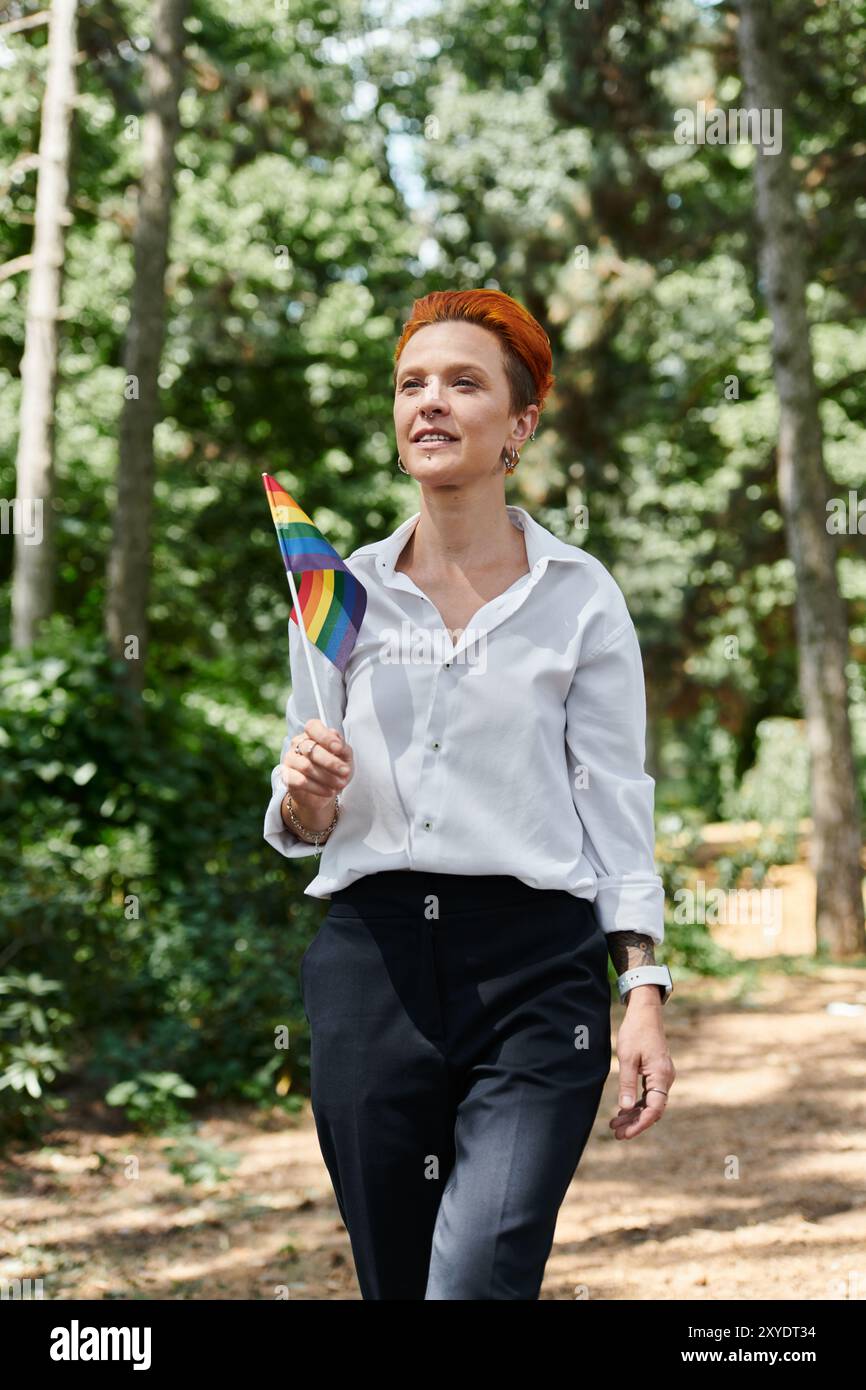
(451, 379)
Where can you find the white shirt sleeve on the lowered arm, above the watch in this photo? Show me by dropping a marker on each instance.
(614, 794)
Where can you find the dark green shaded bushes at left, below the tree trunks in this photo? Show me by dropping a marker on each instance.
(137, 876)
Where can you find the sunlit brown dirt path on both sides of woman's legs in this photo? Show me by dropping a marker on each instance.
(774, 1085)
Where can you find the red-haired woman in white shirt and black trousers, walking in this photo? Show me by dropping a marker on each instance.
(489, 840)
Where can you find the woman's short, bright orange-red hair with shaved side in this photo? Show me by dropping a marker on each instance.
(526, 347)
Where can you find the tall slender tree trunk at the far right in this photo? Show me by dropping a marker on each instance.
(804, 490)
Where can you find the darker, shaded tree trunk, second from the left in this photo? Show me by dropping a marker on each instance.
(130, 559)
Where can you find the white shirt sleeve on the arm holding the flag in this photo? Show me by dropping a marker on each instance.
(301, 707)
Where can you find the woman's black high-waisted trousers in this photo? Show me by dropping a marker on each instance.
(461, 1042)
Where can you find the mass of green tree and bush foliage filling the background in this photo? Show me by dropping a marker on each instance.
(134, 872)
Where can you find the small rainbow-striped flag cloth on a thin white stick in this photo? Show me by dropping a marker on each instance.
(333, 603)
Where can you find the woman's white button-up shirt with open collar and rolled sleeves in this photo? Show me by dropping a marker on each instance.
(518, 751)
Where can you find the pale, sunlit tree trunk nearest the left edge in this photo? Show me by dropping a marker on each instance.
(34, 564)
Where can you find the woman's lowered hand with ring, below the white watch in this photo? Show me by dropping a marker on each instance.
(642, 1049)
